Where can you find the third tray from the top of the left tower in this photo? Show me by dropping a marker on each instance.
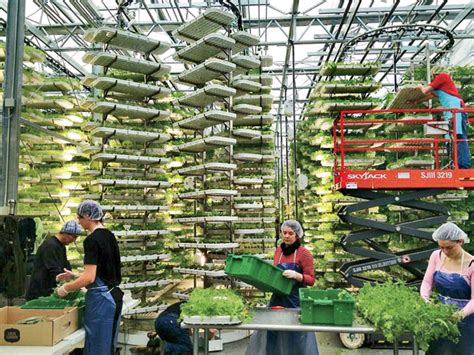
(128, 87)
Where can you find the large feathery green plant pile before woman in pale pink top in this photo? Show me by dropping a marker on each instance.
(395, 308)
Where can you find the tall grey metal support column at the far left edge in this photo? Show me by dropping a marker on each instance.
(12, 104)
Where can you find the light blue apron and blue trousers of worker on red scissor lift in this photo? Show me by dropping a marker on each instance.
(450, 101)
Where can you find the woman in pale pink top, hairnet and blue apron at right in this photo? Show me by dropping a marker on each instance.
(451, 272)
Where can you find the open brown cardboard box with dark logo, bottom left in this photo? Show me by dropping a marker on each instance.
(59, 324)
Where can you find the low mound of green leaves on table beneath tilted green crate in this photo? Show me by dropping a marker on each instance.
(211, 302)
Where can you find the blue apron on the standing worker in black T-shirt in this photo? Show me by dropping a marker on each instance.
(100, 321)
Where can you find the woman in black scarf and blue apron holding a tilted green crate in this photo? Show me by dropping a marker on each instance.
(297, 263)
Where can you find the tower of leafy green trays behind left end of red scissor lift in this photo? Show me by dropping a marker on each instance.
(350, 89)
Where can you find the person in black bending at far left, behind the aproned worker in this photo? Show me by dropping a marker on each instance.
(51, 260)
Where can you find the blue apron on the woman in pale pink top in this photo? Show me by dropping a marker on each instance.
(454, 289)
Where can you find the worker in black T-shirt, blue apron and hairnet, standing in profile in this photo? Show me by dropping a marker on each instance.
(101, 277)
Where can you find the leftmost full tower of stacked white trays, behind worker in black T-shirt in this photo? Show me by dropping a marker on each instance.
(129, 165)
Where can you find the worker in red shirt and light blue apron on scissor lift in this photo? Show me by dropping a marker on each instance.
(442, 86)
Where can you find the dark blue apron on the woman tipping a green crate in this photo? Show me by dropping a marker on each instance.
(284, 343)
